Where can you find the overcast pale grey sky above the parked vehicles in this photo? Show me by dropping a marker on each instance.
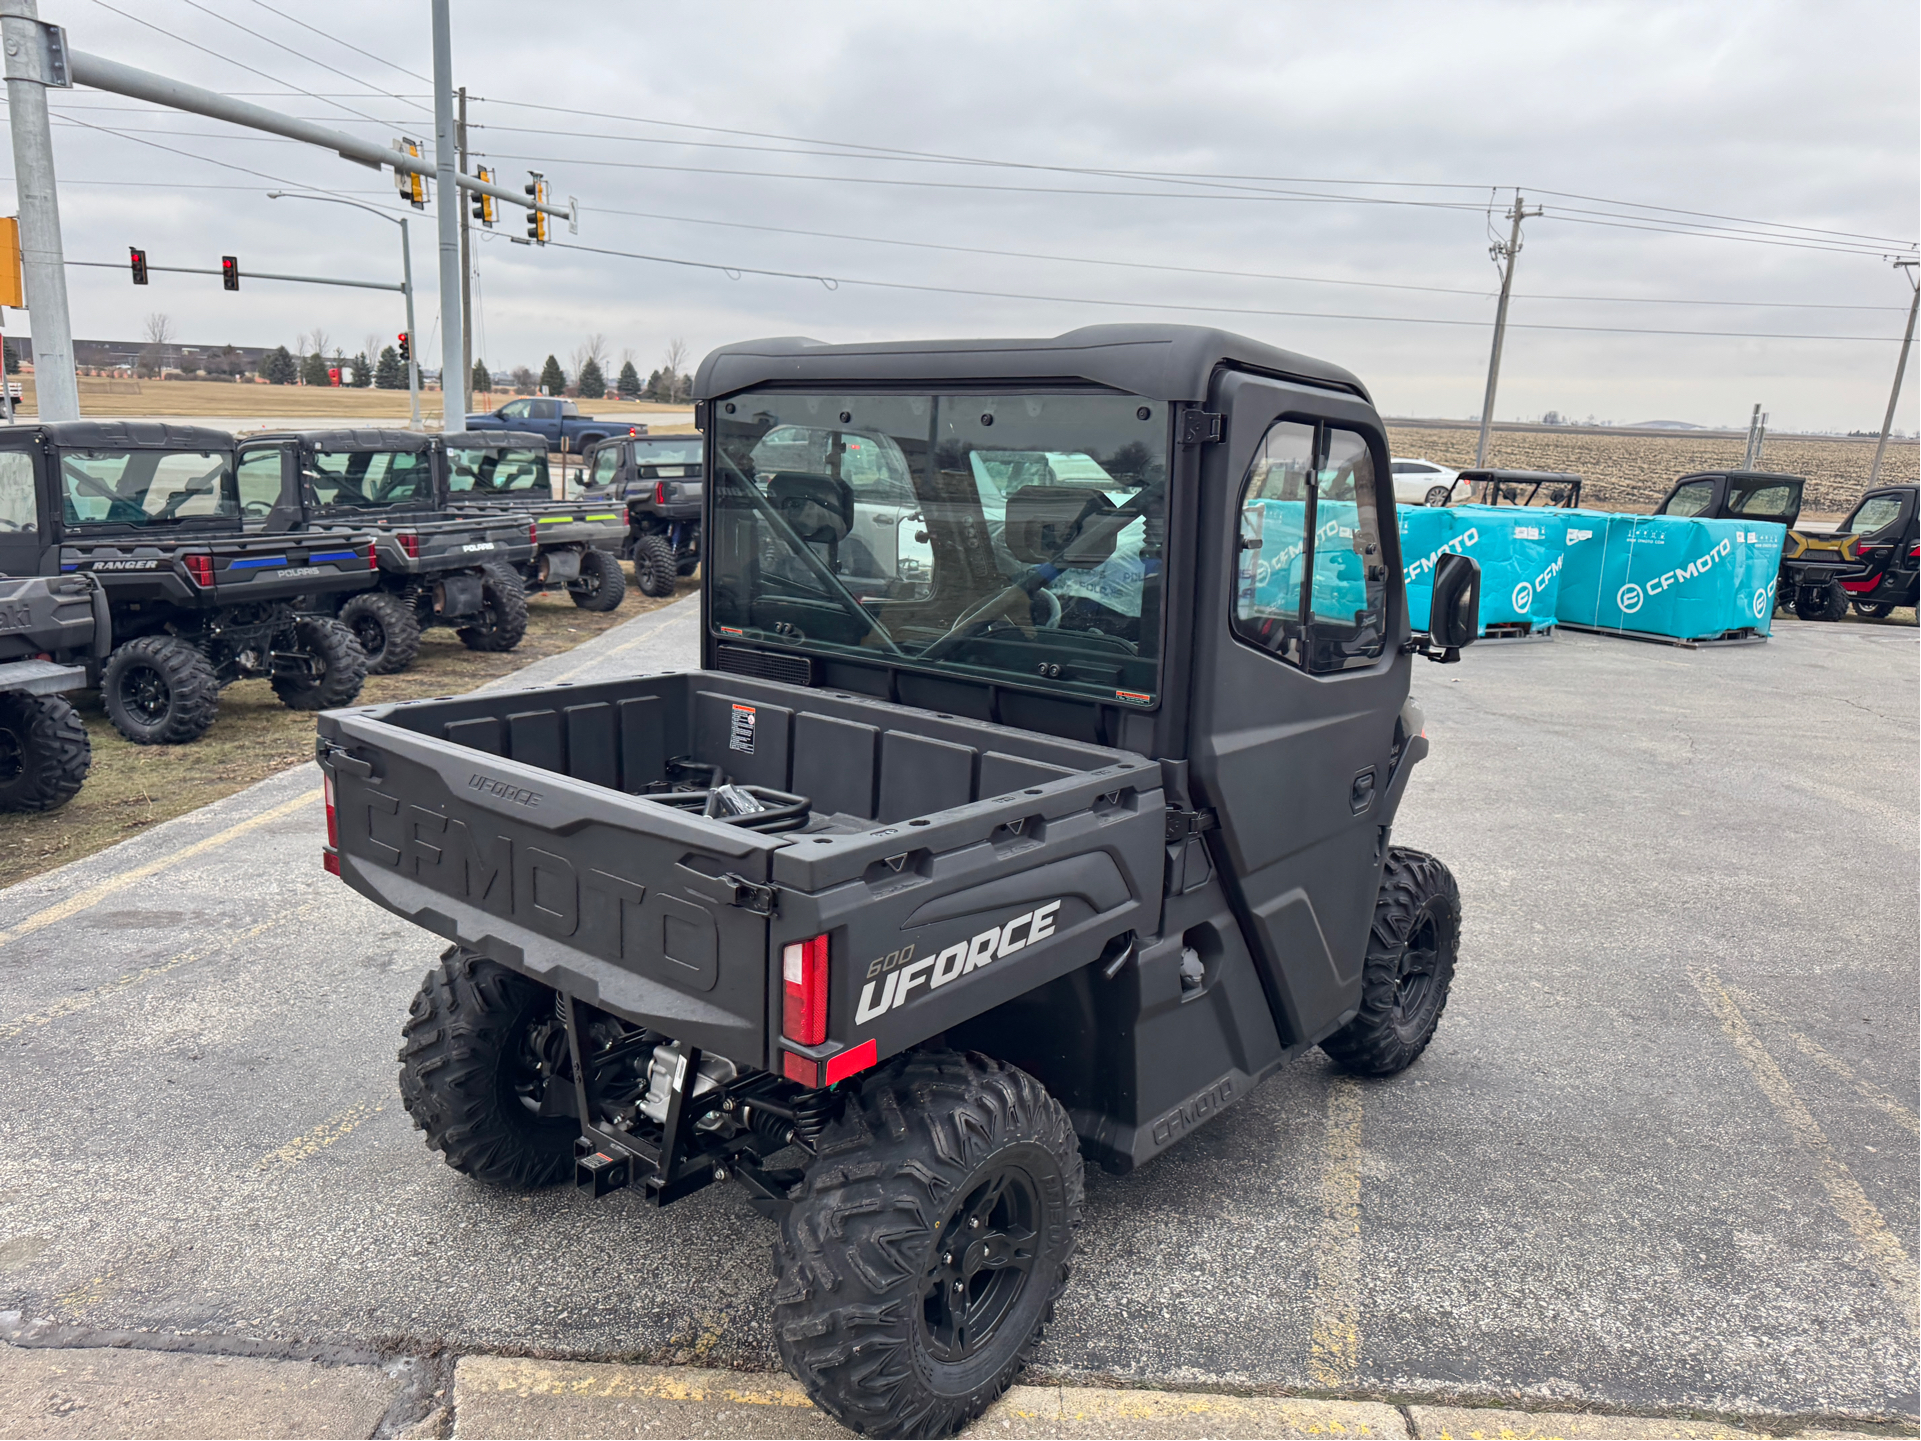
(1417, 118)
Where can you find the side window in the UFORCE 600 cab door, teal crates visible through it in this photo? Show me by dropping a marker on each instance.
(1313, 581)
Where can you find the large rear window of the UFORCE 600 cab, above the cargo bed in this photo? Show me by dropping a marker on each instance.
(1002, 537)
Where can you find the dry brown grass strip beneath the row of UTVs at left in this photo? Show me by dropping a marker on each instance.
(135, 787)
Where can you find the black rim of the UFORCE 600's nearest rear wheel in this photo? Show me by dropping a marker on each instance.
(981, 1263)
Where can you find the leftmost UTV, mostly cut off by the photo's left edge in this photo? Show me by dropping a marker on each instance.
(55, 635)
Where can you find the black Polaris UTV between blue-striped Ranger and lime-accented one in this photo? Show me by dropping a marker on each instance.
(435, 566)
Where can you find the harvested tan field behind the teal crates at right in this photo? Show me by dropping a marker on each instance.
(1636, 472)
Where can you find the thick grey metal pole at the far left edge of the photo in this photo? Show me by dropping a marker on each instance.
(37, 59)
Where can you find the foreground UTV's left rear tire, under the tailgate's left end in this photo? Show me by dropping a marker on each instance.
(477, 1054)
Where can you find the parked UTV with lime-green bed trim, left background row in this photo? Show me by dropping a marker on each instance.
(577, 543)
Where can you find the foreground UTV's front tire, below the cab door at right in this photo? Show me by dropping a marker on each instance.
(1409, 969)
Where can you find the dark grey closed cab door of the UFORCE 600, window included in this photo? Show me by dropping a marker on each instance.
(1298, 683)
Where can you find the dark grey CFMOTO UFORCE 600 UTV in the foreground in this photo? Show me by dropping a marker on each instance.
(936, 881)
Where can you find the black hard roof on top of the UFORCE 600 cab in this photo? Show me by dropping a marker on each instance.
(1159, 362)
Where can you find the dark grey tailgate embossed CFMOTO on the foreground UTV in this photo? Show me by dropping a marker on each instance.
(631, 906)
